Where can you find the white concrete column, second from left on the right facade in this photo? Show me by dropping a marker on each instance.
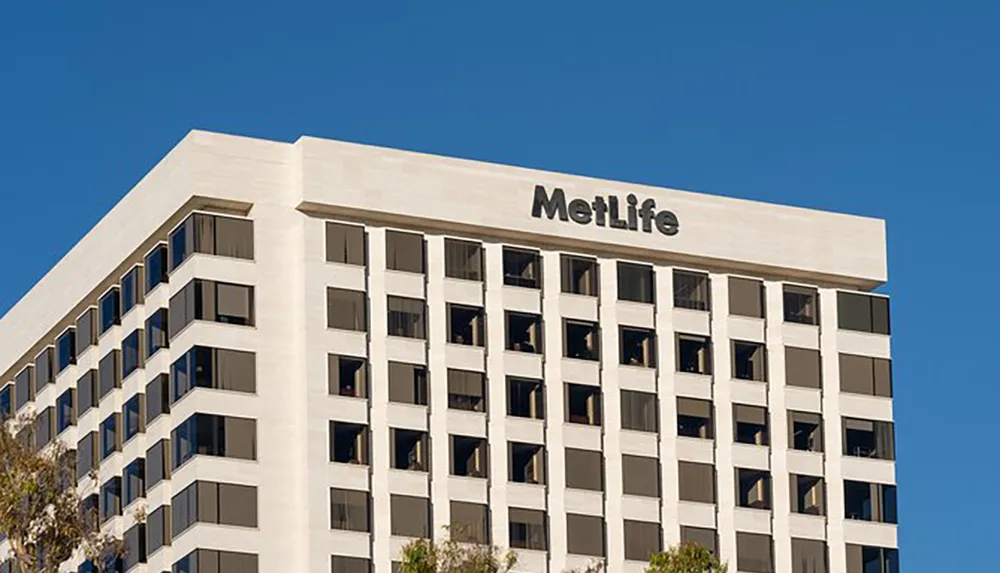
(437, 375)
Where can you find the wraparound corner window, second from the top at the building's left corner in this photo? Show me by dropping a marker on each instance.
(211, 301)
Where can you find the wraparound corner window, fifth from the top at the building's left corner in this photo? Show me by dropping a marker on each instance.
(215, 503)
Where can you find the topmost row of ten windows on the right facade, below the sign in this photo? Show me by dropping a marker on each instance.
(579, 275)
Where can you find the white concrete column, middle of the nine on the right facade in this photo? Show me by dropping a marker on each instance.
(611, 429)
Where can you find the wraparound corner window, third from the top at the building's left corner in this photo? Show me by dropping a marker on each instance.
(213, 368)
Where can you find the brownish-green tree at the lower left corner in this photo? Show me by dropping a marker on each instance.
(41, 513)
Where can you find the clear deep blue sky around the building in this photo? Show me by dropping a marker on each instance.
(887, 109)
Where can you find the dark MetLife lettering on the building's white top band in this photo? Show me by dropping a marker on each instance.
(604, 212)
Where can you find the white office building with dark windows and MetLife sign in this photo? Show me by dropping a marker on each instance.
(299, 357)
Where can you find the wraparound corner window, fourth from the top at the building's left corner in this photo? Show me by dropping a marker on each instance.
(214, 435)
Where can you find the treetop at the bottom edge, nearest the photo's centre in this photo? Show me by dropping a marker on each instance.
(449, 555)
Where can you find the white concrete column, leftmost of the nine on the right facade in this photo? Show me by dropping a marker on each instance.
(378, 360)
